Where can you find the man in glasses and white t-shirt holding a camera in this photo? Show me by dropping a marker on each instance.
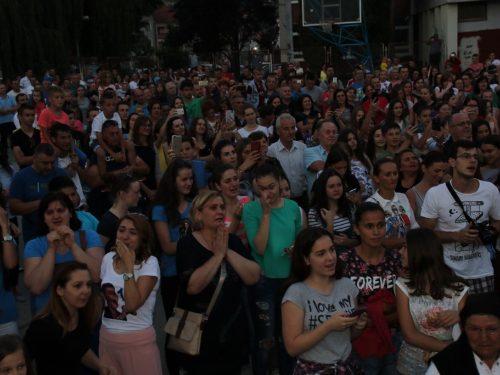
(460, 222)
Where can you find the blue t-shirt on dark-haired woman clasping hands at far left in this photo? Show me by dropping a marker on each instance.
(38, 247)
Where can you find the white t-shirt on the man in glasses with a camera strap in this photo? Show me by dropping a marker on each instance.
(469, 261)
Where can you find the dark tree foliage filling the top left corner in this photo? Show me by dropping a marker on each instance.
(45, 33)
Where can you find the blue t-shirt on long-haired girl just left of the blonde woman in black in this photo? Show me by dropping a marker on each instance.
(168, 261)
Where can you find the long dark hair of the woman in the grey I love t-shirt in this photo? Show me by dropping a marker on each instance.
(299, 270)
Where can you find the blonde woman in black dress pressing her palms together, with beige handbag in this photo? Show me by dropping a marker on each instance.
(201, 257)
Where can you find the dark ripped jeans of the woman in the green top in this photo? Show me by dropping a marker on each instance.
(265, 307)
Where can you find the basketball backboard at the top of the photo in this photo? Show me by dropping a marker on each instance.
(317, 12)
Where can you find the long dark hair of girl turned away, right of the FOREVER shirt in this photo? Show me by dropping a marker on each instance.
(426, 266)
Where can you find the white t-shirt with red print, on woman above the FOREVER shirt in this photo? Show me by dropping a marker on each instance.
(399, 216)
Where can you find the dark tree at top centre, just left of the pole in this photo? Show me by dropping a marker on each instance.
(226, 25)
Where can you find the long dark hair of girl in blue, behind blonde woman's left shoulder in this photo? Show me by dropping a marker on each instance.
(169, 197)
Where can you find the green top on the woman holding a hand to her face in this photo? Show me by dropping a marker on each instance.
(285, 225)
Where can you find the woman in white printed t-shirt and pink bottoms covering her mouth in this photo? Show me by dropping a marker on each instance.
(130, 280)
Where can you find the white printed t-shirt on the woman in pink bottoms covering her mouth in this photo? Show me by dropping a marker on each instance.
(143, 317)
